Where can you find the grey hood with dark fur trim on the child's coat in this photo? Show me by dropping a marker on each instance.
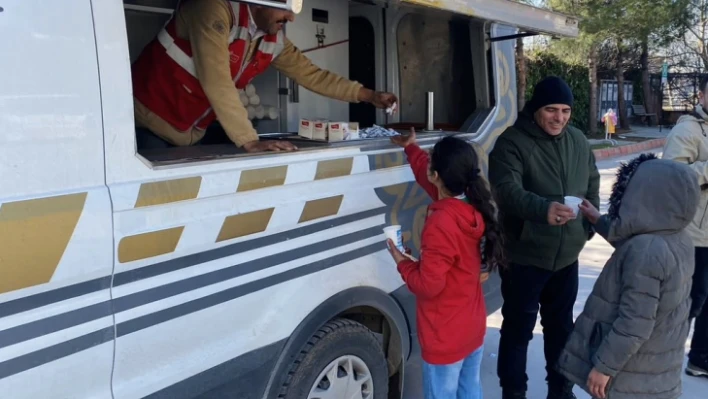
(652, 195)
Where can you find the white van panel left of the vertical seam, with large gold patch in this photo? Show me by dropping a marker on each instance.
(55, 212)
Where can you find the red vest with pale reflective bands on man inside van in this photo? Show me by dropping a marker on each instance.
(164, 77)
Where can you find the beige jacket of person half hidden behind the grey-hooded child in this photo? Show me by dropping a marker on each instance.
(688, 143)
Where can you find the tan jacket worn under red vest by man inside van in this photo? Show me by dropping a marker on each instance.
(210, 51)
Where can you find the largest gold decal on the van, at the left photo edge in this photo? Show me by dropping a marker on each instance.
(33, 237)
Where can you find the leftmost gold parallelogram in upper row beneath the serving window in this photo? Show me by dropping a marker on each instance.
(165, 192)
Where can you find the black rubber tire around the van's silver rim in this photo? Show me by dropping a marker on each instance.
(337, 338)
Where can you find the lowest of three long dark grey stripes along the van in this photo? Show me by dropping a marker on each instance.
(43, 356)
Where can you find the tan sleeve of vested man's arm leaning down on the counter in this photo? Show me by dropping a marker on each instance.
(208, 23)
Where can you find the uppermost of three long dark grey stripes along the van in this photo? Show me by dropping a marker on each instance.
(27, 303)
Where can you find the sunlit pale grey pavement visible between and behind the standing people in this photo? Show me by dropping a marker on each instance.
(592, 259)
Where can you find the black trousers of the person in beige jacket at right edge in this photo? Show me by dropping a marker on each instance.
(699, 308)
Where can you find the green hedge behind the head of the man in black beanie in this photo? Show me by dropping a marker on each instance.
(542, 65)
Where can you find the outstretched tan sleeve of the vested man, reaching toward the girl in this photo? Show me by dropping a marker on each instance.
(299, 68)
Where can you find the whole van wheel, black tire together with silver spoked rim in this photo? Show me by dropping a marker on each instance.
(343, 359)
